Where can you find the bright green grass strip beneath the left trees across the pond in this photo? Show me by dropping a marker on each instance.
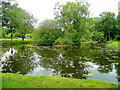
(15, 41)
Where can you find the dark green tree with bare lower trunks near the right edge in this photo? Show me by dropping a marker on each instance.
(108, 25)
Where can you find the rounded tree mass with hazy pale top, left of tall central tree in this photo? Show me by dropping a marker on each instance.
(47, 33)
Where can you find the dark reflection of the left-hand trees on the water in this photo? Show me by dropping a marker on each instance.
(22, 61)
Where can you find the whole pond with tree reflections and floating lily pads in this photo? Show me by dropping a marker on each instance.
(87, 61)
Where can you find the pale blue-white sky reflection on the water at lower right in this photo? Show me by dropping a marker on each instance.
(111, 76)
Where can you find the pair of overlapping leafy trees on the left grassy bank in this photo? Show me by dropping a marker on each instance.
(16, 19)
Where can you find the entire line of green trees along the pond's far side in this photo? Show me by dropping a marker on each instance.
(72, 24)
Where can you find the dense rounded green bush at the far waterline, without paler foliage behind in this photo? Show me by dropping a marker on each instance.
(46, 37)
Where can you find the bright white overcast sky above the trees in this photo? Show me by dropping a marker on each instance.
(43, 9)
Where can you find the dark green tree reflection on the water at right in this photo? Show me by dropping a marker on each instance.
(105, 59)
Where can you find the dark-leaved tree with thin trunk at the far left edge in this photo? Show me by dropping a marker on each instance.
(6, 6)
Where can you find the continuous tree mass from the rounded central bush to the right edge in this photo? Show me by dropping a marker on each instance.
(72, 25)
